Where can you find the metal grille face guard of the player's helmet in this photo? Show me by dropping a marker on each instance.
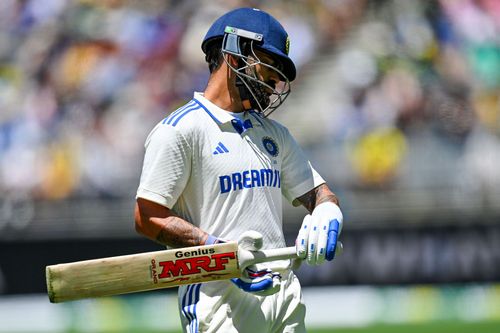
(264, 97)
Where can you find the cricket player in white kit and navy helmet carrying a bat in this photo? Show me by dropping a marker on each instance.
(217, 169)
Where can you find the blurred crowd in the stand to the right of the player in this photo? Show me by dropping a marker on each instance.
(411, 100)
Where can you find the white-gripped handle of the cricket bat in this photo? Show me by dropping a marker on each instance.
(247, 258)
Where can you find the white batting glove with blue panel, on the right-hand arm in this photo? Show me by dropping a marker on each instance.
(317, 238)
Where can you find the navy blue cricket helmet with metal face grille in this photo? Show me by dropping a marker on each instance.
(243, 31)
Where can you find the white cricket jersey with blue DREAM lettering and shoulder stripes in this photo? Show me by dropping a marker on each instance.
(198, 164)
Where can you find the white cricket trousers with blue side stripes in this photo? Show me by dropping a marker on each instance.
(222, 307)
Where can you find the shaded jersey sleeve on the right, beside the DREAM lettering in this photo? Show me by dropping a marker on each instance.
(298, 175)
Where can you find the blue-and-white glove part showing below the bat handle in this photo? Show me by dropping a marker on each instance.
(261, 283)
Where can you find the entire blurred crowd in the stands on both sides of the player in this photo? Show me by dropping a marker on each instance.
(83, 82)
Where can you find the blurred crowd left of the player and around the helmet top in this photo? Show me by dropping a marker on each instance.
(82, 82)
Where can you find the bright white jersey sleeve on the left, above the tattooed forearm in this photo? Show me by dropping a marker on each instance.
(166, 167)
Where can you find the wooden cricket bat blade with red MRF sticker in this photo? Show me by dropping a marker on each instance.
(141, 272)
